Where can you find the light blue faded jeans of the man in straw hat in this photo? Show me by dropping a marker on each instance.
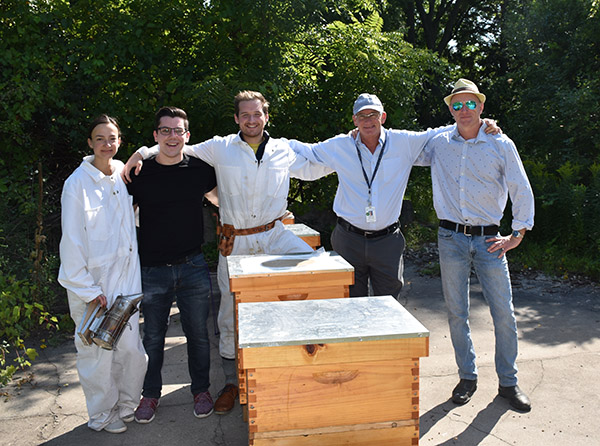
(458, 252)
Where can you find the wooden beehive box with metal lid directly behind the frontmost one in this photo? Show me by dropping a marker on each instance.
(288, 277)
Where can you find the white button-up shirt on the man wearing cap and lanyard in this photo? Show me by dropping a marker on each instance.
(387, 192)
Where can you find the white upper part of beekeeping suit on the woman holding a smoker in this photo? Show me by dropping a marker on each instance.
(98, 248)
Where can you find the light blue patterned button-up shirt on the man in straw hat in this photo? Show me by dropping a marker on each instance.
(472, 179)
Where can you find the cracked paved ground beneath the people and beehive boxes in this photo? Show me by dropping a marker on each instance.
(559, 327)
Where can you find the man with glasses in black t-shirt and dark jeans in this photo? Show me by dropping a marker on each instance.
(169, 192)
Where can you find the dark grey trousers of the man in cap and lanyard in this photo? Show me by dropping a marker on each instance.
(376, 259)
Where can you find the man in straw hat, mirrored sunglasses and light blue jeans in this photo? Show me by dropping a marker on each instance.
(473, 173)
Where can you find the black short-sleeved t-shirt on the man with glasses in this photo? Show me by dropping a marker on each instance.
(170, 205)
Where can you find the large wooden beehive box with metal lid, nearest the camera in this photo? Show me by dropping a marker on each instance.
(332, 372)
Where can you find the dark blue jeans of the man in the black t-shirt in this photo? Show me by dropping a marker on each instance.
(189, 283)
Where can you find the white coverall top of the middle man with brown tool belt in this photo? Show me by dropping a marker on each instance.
(251, 193)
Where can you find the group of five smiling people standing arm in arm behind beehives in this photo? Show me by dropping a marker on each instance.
(474, 170)
